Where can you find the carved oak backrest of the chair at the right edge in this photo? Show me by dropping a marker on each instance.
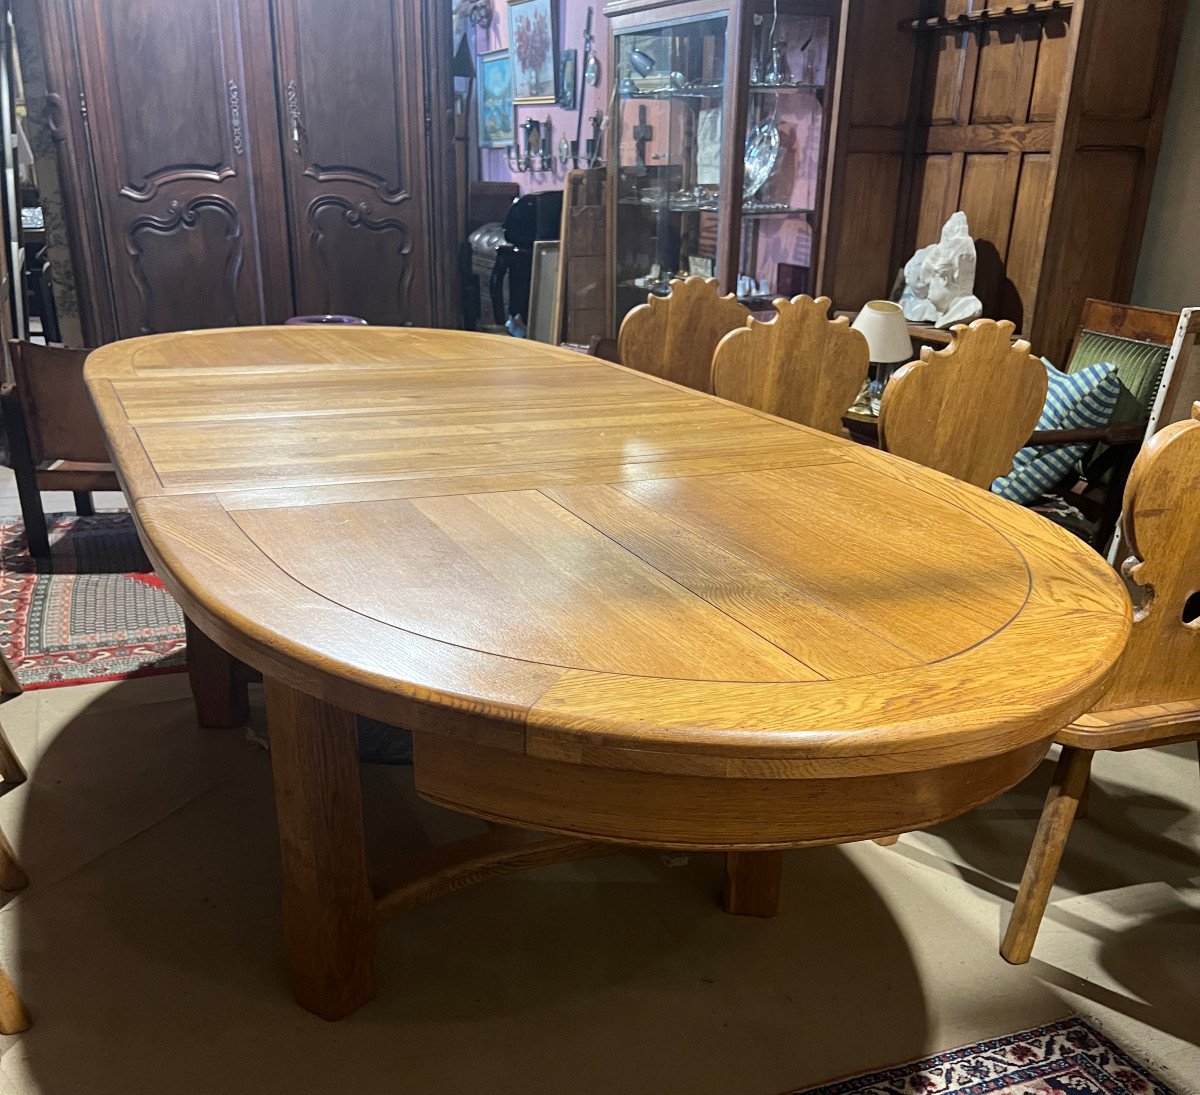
(1161, 526)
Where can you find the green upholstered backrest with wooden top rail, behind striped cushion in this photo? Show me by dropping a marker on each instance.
(1136, 340)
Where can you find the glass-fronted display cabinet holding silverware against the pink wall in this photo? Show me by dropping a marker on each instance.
(718, 143)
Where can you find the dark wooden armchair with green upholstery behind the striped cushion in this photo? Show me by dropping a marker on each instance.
(1139, 343)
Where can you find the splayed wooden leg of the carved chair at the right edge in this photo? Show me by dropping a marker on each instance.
(1042, 867)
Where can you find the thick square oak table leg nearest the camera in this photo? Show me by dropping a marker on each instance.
(328, 906)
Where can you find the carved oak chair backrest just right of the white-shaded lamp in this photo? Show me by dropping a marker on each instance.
(968, 409)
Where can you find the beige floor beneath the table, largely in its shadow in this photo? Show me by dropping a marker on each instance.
(148, 943)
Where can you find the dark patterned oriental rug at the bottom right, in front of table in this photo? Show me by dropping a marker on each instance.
(1066, 1058)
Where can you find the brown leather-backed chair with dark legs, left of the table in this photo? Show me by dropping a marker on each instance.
(55, 435)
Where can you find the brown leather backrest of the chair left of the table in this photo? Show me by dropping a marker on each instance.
(61, 420)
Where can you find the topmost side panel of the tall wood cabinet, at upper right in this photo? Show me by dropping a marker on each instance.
(1119, 77)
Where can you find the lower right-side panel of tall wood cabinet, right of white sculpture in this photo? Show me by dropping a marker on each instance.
(1094, 211)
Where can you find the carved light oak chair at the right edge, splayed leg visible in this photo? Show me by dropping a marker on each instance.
(1155, 695)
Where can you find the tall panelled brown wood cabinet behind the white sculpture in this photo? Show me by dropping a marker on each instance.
(1042, 122)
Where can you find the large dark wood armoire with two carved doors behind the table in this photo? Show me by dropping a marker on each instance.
(231, 163)
